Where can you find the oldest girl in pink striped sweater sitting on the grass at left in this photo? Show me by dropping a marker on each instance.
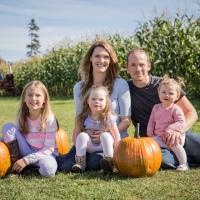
(32, 140)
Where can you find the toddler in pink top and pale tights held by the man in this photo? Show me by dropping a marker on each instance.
(167, 118)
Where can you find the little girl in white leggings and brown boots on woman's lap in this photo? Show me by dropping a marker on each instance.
(96, 116)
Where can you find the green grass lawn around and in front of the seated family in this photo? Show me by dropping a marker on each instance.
(94, 185)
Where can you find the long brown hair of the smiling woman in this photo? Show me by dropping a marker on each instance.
(86, 69)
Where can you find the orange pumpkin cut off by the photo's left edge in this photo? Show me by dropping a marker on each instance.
(4, 159)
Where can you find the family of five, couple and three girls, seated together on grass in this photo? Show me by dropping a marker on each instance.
(105, 105)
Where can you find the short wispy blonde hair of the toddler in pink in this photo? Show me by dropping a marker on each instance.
(167, 81)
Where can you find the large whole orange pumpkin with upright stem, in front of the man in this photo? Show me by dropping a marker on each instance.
(137, 156)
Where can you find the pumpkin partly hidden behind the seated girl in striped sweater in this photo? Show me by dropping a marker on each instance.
(62, 141)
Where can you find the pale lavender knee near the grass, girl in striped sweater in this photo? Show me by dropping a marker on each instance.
(48, 168)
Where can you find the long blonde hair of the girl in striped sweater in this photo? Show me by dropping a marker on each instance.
(23, 112)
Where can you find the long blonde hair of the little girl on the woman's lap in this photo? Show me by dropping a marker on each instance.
(86, 109)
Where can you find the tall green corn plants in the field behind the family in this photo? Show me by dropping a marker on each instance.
(173, 45)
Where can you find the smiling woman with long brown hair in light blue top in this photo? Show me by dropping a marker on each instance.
(99, 67)
